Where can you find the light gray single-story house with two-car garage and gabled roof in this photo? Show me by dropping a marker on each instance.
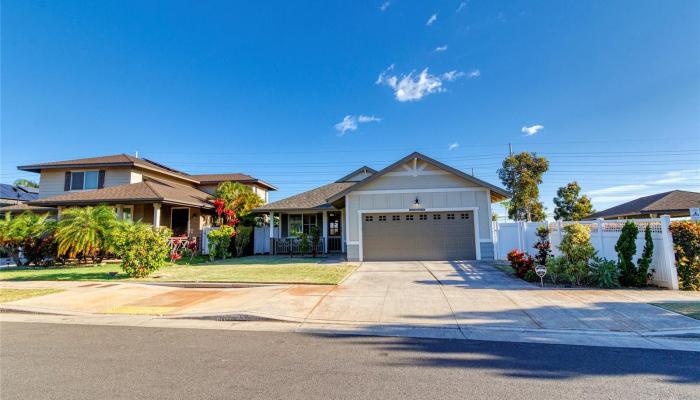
(415, 209)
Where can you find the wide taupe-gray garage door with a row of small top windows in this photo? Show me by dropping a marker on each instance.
(418, 236)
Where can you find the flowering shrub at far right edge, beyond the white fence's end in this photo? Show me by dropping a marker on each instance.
(686, 242)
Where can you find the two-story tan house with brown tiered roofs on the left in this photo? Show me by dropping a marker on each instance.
(138, 188)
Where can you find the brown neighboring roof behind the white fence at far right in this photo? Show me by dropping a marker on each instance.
(674, 201)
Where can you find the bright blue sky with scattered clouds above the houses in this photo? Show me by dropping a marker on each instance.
(300, 93)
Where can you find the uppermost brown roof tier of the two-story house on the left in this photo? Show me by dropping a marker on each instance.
(116, 160)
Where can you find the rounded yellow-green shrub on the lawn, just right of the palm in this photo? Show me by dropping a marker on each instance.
(142, 248)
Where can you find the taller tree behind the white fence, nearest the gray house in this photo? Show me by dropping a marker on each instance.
(520, 174)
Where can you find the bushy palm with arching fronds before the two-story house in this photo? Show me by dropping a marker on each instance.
(85, 231)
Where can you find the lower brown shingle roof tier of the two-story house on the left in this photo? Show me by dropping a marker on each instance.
(143, 192)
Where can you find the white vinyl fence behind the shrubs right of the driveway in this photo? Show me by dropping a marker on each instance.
(604, 236)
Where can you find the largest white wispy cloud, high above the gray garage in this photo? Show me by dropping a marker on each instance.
(414, 87)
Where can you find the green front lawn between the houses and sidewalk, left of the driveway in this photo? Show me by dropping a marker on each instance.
(257, 269)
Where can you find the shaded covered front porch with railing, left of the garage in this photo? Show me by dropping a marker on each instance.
(286, 237)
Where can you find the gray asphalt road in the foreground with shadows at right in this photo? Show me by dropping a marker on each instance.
(51, 361)
